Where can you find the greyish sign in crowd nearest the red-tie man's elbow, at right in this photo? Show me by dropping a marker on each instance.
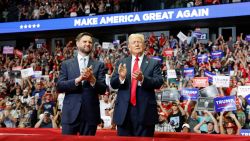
(170, 95)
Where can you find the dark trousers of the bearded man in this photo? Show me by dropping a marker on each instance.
(79, 126)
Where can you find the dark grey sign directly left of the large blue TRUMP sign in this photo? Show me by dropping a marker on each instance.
(205, 103)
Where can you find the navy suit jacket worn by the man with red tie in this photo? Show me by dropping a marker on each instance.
(145, 95)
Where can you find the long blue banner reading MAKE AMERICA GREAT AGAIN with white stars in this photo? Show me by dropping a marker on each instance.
(166, 15)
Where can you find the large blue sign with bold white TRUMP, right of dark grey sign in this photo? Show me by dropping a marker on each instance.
(226, 103)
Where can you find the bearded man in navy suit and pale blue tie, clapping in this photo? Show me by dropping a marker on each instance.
(82, 79)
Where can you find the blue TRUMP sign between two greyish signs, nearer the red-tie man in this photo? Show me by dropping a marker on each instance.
(190, 93)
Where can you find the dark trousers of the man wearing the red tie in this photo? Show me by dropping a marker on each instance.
(131, 126)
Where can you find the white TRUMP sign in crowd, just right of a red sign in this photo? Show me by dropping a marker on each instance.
(221, 81)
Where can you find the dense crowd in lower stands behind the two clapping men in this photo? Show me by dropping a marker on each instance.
(35, 102)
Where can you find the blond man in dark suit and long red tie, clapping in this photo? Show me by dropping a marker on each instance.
(136, 77)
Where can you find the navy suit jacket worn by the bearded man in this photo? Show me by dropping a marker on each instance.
(84, 93)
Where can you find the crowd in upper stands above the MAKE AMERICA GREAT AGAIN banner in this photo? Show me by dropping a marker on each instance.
(46, 9)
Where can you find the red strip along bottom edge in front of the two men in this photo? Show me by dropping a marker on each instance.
(32, 134)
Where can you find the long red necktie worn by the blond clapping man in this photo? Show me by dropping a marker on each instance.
(134, 83)
